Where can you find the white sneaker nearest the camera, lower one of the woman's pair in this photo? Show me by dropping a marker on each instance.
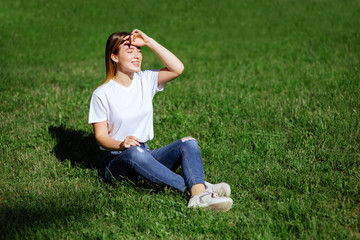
(210, 200)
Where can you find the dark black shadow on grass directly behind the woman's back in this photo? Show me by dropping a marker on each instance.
(77, 146)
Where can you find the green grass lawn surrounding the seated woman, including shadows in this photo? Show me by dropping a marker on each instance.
(271, 91)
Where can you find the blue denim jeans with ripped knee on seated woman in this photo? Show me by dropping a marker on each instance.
(158, 165)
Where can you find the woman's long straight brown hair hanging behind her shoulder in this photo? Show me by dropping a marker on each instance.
(112, 46)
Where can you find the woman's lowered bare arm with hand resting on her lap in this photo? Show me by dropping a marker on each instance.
(103, 139)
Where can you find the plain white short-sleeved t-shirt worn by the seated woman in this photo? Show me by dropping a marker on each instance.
(129, 111)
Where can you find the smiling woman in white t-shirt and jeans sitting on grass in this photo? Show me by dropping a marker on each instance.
(121, 112)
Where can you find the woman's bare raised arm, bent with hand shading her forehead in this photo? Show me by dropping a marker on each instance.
(174, 67)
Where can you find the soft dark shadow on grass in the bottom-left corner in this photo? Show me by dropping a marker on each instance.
(36, 215)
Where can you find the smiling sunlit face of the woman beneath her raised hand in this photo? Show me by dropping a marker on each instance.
(129, 58)
